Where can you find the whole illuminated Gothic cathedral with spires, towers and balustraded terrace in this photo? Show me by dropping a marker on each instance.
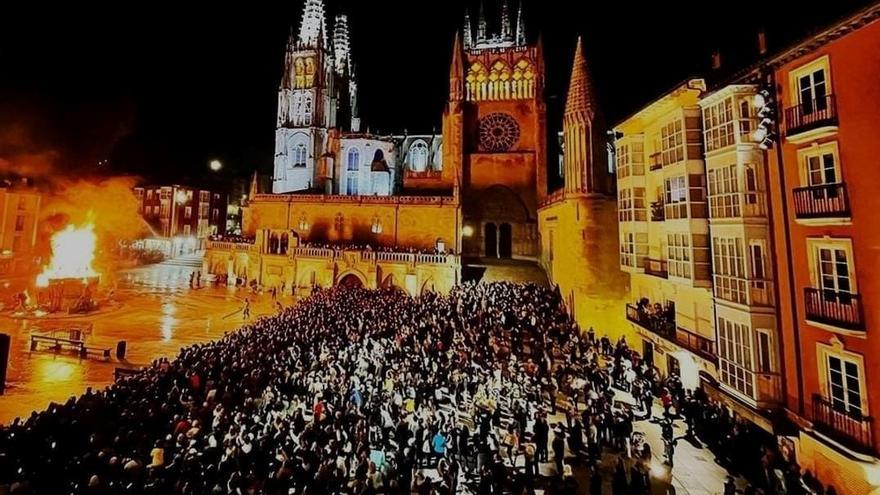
(478, 190)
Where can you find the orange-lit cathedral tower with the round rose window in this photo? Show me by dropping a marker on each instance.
(494, 137)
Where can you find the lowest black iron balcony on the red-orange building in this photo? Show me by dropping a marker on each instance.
(851, 429)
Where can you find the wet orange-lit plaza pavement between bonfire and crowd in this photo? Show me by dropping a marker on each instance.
(157, 314)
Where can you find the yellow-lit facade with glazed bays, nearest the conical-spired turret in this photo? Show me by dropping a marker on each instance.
(663, 214)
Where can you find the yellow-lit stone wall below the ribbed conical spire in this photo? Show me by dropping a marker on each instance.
(579, 252)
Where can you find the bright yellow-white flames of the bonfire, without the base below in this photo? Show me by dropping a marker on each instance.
(73, 250)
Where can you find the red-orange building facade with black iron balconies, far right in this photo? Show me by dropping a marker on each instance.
(823, 177)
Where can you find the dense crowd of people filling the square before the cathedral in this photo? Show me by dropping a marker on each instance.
(490, 389)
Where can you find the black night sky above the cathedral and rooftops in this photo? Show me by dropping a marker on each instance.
(161, 89)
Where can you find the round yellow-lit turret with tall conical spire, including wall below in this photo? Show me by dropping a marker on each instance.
(579, 222)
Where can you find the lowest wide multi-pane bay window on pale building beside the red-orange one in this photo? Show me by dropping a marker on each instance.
(735, 356)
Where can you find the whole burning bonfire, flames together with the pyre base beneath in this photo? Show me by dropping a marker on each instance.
(69, 280)
